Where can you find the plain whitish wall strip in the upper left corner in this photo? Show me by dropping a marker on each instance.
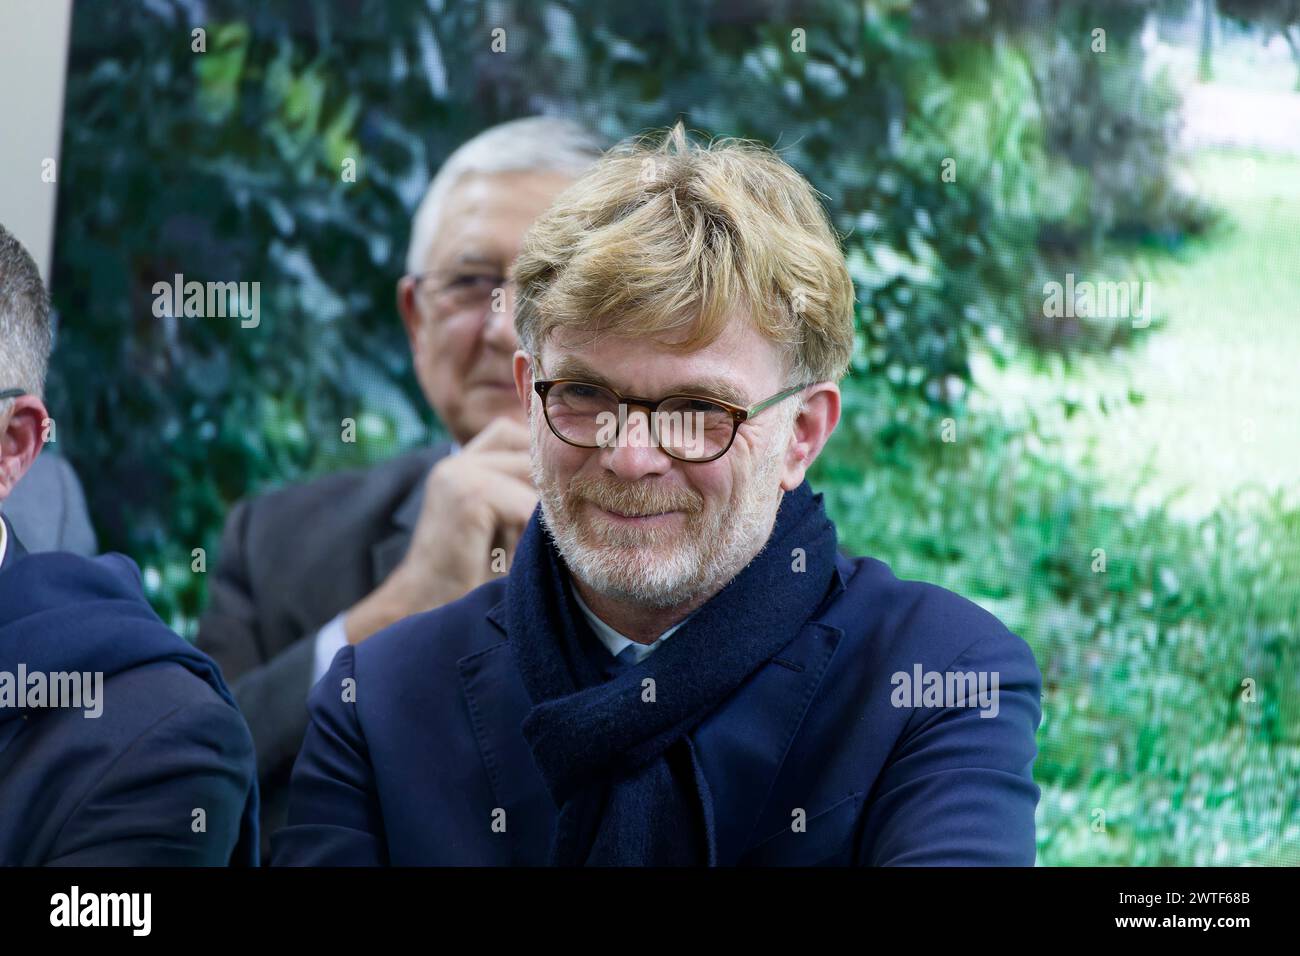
(33, 62)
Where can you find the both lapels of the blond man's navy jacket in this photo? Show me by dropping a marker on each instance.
(740, 747)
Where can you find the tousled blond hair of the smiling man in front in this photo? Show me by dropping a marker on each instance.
(669, 239)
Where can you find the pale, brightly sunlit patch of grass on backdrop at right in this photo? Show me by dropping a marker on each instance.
(1217, 396)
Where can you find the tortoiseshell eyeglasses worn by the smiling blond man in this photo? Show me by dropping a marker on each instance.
(691, 429)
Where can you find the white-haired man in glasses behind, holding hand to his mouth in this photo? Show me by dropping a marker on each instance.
(310, 569)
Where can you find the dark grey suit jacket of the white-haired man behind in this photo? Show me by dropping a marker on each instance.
(289, 563)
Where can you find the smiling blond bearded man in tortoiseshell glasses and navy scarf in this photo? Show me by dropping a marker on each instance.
(681, 668)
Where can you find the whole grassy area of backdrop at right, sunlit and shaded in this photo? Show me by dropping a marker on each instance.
(1149, 754)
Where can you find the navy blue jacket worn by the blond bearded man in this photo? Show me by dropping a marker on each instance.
(413, 772)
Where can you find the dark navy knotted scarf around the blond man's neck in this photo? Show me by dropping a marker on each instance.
(622, 769)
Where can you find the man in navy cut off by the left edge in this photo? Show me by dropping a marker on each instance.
(120, 745)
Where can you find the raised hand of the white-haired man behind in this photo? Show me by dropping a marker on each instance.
(475, 503)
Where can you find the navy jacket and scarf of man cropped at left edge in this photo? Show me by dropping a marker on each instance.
(120, 789)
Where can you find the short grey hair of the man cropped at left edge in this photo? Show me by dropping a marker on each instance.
(25, 338)
